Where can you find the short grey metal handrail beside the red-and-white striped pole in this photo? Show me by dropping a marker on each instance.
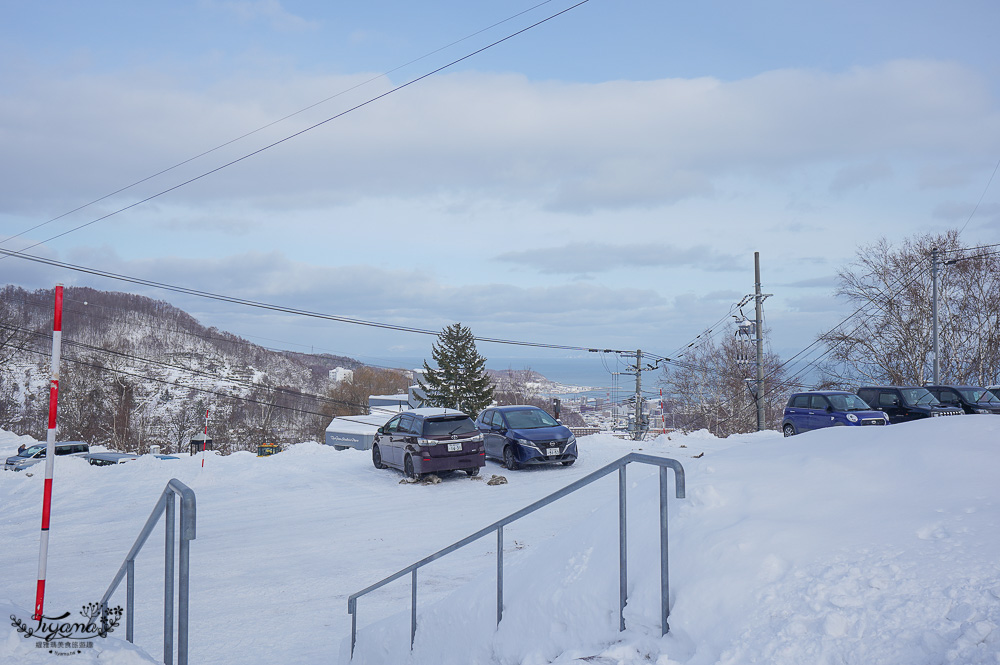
(187, 534)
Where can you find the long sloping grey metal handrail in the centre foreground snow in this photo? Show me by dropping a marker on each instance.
(619, 465)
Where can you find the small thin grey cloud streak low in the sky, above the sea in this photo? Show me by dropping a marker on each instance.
(588, 258)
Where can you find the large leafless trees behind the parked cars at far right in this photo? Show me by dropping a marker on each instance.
(890, 339)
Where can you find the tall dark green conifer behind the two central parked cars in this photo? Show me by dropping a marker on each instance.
(460, 380)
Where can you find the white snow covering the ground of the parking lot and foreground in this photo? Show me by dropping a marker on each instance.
(872, 545)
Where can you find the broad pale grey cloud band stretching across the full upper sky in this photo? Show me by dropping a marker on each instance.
(566, 147)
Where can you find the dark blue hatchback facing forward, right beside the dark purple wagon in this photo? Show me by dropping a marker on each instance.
(525, 435)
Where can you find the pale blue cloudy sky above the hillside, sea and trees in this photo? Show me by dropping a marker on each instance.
(601, 179)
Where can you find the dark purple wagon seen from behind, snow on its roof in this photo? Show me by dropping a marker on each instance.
(429, 440)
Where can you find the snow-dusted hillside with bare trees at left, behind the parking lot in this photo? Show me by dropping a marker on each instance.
(137, 371)
